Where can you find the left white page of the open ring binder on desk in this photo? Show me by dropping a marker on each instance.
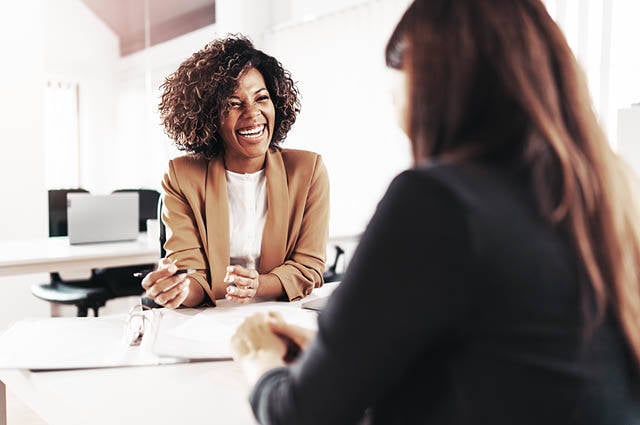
(71, 343)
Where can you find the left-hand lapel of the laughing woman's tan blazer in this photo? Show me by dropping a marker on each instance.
(217, 215)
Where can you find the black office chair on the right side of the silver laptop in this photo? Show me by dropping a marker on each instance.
(120, 280)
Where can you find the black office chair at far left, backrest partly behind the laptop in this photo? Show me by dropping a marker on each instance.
(85, 294)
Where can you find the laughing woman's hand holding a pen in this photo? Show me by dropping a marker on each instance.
(165, 288)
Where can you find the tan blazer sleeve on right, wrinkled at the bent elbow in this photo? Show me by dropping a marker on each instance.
(303, 269)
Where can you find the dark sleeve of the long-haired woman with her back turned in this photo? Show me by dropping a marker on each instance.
(370, 335)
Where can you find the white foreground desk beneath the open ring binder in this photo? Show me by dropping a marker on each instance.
(191, 393)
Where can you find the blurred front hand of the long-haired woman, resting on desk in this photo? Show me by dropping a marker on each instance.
(256, 348)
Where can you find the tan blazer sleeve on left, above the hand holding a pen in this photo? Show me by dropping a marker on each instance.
(184, 232)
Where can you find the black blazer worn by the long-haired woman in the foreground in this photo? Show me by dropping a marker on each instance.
(461, 305)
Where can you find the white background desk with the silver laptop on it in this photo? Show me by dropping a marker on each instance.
(57, 255)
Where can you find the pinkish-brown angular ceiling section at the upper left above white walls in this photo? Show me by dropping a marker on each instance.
(167, 19)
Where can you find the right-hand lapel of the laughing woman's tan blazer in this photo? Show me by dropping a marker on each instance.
(274, 236)
